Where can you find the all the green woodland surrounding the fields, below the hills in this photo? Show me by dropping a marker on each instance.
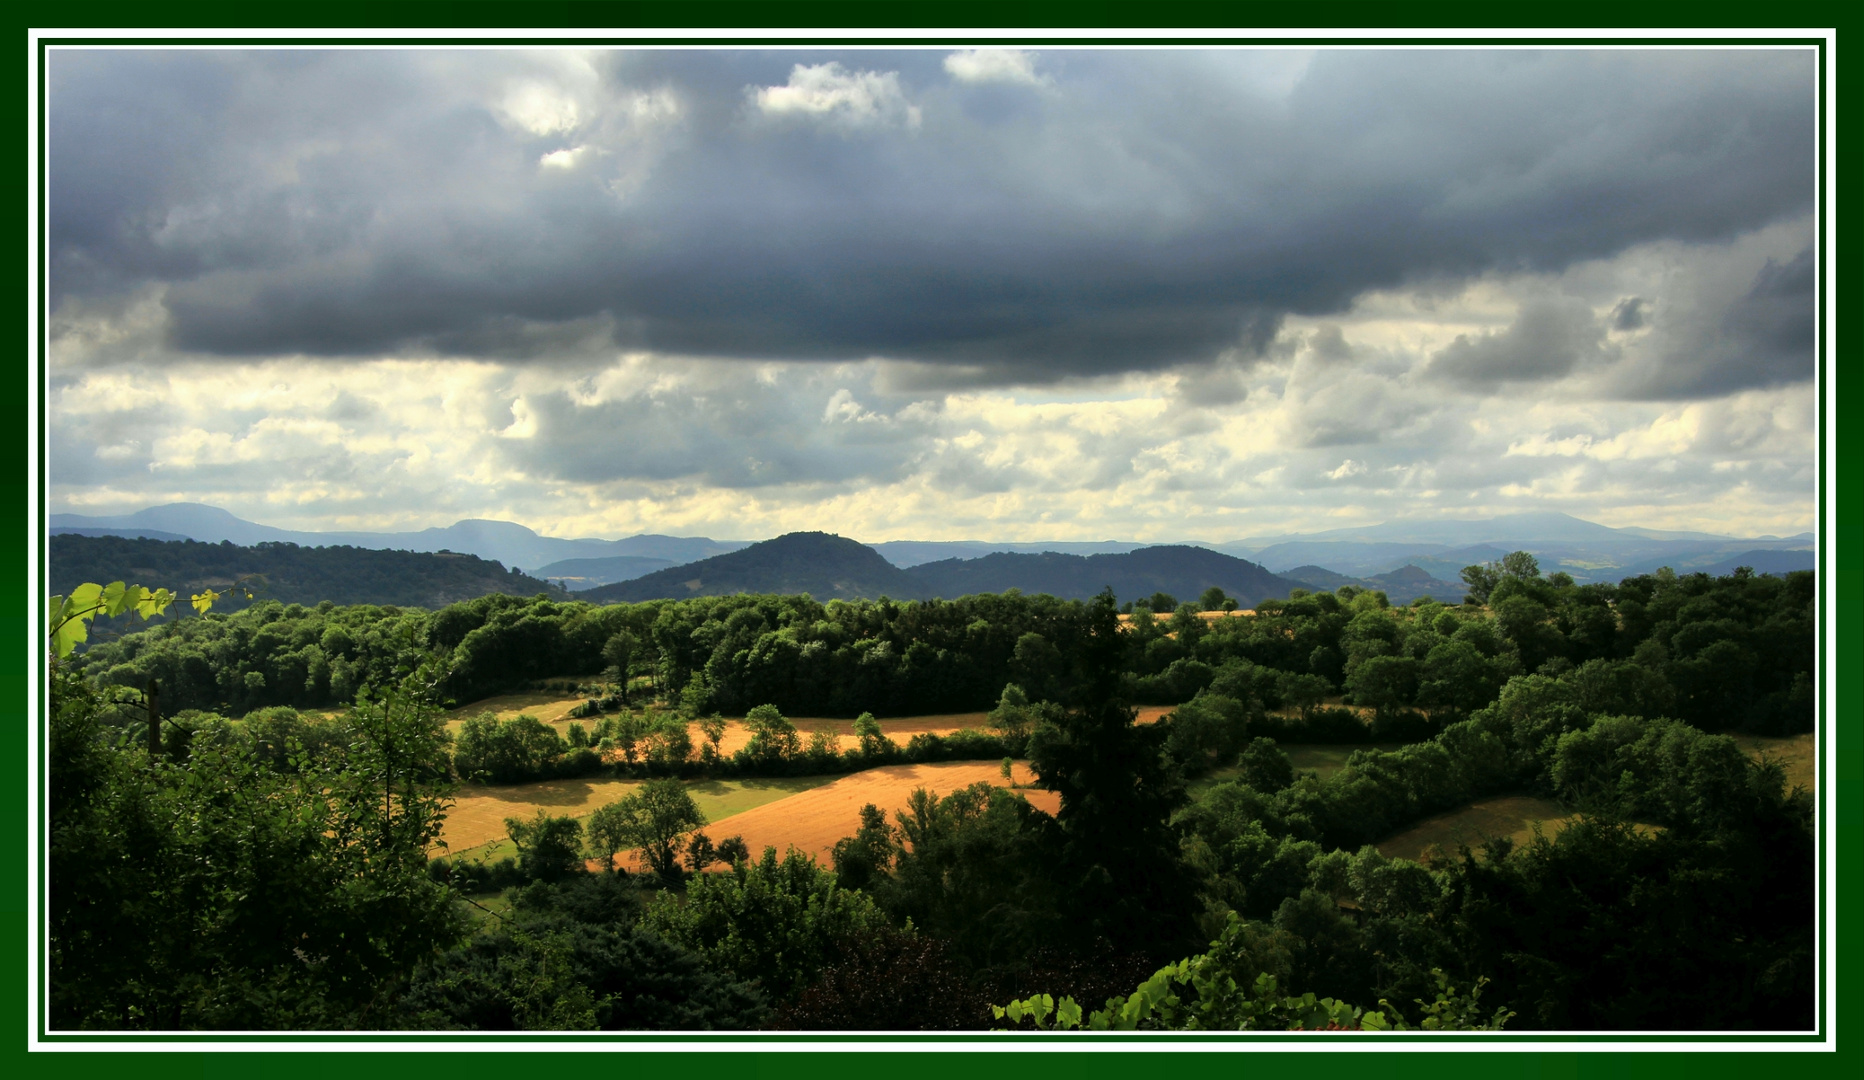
(1680, 900)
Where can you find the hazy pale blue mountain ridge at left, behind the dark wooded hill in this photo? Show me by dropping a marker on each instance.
(502, 542)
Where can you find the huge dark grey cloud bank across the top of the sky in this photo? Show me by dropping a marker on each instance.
(1140, 210)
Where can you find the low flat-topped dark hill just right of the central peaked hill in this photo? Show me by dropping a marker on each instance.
(1183, 572)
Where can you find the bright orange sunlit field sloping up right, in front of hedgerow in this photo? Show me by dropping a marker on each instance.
(815, 820)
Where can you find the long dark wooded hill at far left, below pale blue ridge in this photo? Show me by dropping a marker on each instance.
(286, 572)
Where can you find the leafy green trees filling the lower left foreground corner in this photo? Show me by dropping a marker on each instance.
(217, 893)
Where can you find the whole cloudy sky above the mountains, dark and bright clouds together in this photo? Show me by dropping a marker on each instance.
(935, 296)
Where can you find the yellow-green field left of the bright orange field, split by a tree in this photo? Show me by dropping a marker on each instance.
(476, 824)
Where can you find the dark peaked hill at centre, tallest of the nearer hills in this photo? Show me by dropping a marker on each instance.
(802, 562)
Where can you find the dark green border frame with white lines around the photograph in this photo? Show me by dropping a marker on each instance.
(767, 1055)
